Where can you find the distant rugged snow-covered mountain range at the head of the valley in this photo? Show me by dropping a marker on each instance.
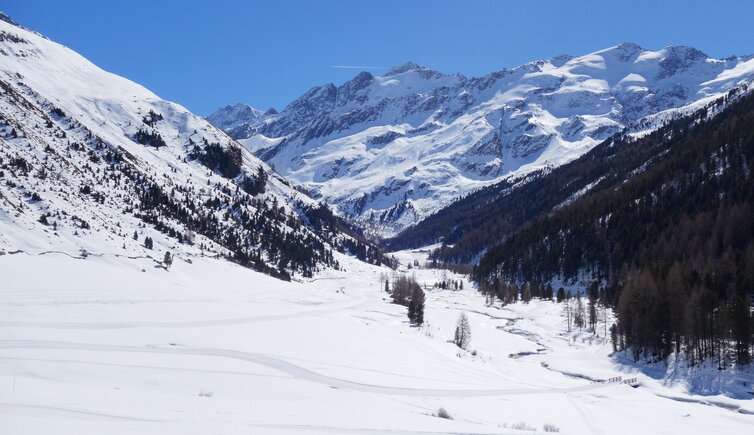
(393, 149)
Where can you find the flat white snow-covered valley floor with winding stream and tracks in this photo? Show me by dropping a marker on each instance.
(112, 345)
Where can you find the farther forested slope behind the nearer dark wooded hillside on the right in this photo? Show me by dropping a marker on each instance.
(484, 218)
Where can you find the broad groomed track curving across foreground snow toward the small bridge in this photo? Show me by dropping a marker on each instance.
(293, 370)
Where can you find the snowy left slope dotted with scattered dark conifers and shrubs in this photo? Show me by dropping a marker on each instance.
(93, 163)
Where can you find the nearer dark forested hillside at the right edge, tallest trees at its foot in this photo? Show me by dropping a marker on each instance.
(671, 243)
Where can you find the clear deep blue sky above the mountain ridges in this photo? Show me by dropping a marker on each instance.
(207, 54)
